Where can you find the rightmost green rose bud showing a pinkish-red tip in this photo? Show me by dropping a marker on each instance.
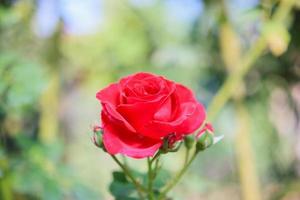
(205, 138)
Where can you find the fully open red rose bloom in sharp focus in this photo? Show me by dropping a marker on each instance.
(142, 109)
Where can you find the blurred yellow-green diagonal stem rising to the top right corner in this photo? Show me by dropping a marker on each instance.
(246, 63)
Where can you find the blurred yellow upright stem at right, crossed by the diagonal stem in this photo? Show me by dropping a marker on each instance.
(231, 54)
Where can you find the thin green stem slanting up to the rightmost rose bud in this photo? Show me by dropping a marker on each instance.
(175, 180)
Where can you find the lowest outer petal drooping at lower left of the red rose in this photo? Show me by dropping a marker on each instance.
(118, 139)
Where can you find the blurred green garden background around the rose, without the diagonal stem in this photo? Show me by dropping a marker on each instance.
(56, 54)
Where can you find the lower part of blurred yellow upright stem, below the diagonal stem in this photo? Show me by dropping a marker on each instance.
(248, 176)
